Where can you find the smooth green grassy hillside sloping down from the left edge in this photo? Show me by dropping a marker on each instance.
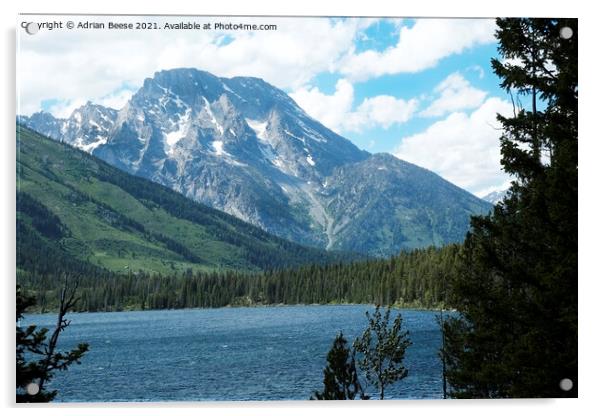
(77, 212)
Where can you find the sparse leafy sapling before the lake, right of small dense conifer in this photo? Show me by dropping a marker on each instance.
(382, 350)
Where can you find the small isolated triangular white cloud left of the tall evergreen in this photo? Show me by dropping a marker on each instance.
(455, 94)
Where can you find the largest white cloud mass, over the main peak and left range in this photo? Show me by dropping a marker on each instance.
(87, 65)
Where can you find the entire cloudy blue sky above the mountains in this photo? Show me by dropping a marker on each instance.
(420, 89)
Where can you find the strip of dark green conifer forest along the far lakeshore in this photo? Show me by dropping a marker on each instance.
(416, 279)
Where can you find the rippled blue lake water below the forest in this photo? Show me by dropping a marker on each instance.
(266, 353)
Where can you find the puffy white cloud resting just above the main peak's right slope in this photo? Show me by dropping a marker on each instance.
(335, 111)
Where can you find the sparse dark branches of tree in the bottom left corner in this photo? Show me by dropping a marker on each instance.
(37, 356)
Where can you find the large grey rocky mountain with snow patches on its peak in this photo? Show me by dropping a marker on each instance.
(244, 147)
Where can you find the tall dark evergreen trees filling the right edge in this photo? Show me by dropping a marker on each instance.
(517, 290)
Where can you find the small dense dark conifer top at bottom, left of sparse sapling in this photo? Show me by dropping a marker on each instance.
(340, 375)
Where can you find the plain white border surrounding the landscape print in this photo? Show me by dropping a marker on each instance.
(590, 287)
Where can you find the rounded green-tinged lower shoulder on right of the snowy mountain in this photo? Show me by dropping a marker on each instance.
(384, 201)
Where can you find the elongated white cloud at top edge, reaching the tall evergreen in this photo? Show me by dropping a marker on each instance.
(420, 47)
